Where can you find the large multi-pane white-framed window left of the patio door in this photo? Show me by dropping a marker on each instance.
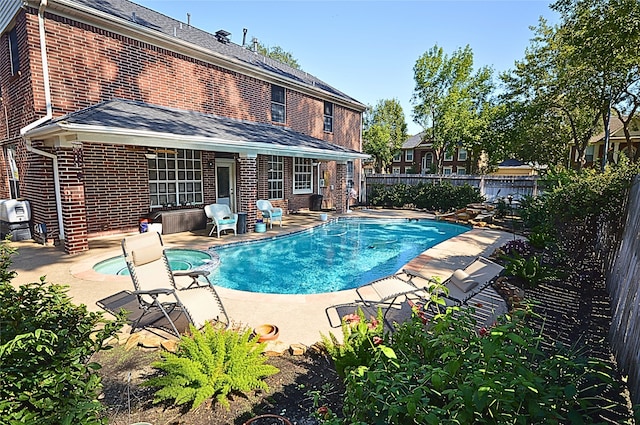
(175, 178)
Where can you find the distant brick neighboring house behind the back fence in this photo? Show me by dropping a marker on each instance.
(418, 157)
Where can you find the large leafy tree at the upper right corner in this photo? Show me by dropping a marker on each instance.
(575, 71)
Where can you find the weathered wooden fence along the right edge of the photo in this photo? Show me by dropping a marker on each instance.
(623, 283)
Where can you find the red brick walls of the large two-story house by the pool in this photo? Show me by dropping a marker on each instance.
(88, 65)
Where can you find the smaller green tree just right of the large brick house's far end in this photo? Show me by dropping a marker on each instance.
(385, 130)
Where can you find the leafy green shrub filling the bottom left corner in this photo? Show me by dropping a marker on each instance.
(45, 346)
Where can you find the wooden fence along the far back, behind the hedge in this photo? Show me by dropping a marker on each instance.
(491, 187)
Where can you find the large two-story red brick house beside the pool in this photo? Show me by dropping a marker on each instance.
(112, 110)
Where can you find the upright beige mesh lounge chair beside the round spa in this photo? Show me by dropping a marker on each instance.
(158, 290)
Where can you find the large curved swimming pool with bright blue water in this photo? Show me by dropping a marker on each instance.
(336, 256)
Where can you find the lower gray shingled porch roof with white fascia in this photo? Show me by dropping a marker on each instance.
(137, 123)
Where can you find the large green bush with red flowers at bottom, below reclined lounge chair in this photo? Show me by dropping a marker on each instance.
(449, 373)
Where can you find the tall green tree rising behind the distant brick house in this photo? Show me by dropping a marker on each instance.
(452, 103)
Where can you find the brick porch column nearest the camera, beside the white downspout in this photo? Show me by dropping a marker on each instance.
(74, 210)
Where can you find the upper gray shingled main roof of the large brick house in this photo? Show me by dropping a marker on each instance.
(139, 16)
